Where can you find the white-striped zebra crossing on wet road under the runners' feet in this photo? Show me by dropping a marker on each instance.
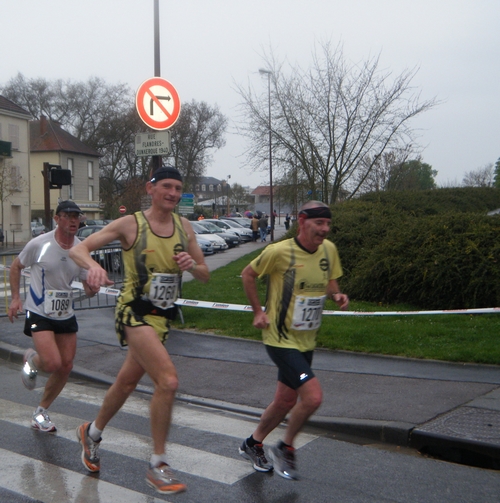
(74, 485)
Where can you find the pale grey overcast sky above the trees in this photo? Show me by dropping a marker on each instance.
(207, 45)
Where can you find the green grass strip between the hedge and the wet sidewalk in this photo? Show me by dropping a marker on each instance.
(454, 338)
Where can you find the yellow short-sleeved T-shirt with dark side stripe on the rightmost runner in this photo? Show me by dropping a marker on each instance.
(296, 291)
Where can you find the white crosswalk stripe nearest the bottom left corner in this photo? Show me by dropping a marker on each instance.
(29, 477)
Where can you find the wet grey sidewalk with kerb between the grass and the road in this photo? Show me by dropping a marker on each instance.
(448, 410)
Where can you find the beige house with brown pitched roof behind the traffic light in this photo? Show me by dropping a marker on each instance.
(49, 142)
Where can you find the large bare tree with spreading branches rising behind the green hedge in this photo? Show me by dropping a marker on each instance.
(334, 121)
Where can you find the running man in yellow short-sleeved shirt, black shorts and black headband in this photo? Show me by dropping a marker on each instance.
(302, 273)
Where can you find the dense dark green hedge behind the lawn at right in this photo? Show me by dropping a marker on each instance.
(433, 249)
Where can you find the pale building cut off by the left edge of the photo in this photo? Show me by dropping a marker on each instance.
(15, 211)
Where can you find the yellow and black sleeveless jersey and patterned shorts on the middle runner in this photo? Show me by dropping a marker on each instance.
(150, 255)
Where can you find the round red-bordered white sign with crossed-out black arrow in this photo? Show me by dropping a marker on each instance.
(158, 103)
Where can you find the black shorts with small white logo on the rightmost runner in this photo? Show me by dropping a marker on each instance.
(294, 367)
